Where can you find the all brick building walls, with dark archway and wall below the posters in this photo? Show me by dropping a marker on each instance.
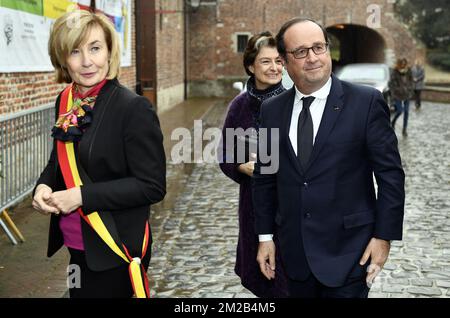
(193, 48)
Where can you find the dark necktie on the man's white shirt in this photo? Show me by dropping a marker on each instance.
(305, 132)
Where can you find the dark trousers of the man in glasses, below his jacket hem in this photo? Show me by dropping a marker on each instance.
(312, 288)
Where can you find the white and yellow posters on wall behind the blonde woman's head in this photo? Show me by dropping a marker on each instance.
(25, 29)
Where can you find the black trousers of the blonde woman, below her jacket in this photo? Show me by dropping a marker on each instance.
(85, 283)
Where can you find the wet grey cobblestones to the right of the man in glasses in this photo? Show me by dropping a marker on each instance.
(419, 266)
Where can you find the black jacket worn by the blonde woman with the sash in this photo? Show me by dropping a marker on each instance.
(122, 153)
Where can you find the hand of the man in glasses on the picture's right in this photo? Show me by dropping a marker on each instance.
(378, 251)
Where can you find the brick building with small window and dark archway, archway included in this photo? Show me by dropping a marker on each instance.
(361, 31)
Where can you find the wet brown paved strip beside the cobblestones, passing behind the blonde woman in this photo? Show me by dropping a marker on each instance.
(25, 271)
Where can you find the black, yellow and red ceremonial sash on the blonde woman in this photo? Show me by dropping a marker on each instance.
(69, 168)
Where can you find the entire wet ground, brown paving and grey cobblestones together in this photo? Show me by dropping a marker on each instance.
(195, 227)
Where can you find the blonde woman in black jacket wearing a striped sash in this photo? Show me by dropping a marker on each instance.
(111, 138)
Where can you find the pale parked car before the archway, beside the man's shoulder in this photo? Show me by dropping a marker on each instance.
(371, 74)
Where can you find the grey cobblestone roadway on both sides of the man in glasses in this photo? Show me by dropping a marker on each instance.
(195, 239)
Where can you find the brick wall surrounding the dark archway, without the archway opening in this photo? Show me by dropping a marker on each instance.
(214, 63)
